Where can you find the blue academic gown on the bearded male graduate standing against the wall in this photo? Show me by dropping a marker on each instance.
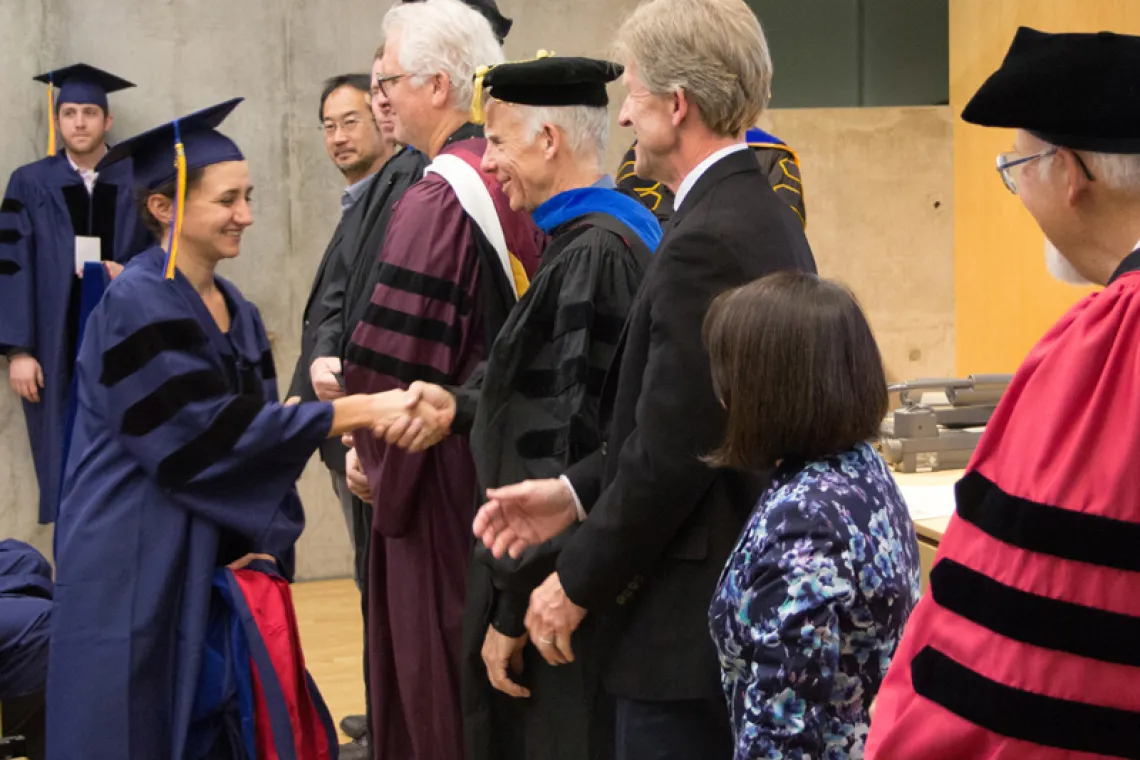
(44, 209)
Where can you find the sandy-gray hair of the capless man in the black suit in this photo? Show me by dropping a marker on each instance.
(714, 51)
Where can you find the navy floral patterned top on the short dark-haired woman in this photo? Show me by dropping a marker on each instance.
(811, 608)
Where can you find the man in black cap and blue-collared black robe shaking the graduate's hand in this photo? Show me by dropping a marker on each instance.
(533, 411)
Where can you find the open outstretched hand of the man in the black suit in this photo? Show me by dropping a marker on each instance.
(524, 516)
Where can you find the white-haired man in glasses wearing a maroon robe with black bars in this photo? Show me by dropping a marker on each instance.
(454, 260)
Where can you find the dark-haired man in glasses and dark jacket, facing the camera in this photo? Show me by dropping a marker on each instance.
(359, 135)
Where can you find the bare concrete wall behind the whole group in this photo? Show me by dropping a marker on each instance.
(870, 209)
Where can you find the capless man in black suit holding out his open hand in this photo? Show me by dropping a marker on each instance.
(657, 524)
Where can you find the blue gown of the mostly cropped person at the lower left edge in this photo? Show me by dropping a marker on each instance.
(26, 614)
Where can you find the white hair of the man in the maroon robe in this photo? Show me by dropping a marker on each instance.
(444, 37)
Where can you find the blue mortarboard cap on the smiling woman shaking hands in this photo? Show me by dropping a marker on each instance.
(153, 152)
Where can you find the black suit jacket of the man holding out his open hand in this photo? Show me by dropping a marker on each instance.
(663, 524)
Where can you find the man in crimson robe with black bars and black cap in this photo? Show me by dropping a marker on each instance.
(1027, 644)
